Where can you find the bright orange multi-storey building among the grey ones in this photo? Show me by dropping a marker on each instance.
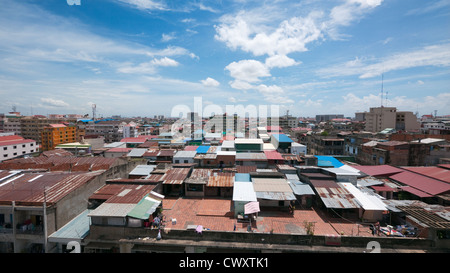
(56, 134)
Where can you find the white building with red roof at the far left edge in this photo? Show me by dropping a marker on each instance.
(14, 146)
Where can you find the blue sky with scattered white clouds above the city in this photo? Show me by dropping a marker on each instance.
(149, 57)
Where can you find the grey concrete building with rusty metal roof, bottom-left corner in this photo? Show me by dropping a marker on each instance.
(43, 203)
